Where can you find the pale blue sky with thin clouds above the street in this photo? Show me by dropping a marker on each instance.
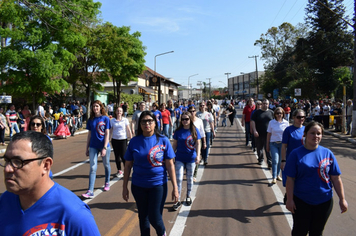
(208, 37)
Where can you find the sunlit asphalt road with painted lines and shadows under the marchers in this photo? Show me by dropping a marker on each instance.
(233, 195)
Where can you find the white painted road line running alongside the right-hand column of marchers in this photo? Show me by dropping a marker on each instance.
(275, 188)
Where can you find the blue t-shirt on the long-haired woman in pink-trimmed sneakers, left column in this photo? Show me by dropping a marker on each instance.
(97, 126)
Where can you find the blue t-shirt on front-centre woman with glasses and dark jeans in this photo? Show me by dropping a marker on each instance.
(148, 157)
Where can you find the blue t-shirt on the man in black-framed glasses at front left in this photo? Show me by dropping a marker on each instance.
(58, 212)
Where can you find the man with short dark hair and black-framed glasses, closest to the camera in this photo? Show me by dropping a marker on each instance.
(33, 204)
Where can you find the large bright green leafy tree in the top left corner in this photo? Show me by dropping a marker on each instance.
(36, 58)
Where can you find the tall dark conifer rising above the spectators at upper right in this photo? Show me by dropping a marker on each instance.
(329, 44)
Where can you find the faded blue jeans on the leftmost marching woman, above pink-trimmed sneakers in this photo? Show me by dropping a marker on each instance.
(93, 157)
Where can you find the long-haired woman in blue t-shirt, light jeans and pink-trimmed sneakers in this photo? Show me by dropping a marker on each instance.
(98, 142)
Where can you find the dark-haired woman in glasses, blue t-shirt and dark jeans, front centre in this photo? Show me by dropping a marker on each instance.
(150, 154)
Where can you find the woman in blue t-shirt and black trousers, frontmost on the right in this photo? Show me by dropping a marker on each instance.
(312, 171)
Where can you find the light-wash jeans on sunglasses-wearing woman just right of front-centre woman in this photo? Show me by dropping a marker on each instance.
(179, 175)
